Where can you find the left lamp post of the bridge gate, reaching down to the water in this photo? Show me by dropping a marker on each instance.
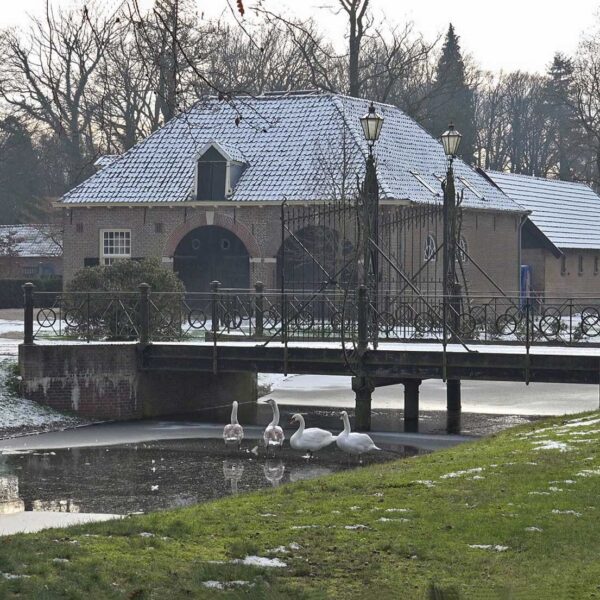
(362, 385)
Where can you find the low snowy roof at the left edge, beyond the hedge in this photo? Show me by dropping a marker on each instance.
(30, 240)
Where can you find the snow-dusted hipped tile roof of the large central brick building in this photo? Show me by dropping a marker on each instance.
(297, 146)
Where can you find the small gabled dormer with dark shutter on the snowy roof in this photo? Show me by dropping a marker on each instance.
(218, 169)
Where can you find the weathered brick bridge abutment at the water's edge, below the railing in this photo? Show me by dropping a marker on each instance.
(103, 381)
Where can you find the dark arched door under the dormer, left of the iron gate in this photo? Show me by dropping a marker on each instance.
(212, 253)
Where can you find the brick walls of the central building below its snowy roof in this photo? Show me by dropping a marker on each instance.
(492, 237)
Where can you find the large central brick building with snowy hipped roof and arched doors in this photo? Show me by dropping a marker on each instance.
(204, 193)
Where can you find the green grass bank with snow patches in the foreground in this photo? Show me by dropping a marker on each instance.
(512, 516)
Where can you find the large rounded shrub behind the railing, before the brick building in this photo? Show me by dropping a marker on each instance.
(103, 301)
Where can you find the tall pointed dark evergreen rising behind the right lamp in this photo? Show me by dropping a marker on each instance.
(452, 98)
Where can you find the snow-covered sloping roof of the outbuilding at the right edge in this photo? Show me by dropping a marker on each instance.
(567, 213)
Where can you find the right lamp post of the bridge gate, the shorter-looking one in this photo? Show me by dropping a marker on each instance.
(451, 141)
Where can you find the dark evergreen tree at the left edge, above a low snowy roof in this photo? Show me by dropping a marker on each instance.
(20, 188)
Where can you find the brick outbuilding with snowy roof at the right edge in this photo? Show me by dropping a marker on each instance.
(561, 236)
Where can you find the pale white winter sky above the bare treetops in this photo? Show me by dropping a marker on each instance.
(515, 34)
